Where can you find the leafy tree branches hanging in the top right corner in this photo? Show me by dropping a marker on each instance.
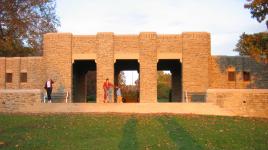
(258, 9)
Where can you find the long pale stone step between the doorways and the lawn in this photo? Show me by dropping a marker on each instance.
(174, 108)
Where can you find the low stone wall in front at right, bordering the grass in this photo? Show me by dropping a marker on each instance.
(245, 102)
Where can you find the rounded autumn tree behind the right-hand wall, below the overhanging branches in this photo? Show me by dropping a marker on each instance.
(255, 45)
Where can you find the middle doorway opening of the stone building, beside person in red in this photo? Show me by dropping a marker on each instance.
(130, 92)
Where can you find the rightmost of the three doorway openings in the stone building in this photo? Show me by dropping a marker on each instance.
(169, 83)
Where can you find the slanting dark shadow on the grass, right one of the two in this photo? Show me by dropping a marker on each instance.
(178, 134)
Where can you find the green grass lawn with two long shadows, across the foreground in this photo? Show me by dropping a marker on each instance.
(121, 131)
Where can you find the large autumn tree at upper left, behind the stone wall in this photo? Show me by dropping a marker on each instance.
(23, 23)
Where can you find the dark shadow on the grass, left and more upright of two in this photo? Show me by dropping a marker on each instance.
(129, 138)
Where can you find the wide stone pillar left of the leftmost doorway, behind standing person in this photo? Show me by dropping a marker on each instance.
(58, 60)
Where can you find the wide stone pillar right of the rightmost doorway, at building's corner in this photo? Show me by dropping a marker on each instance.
(196, 54)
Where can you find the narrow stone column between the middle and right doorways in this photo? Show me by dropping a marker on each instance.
(148, 67)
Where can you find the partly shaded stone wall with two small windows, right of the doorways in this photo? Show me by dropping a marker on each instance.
(218, 72)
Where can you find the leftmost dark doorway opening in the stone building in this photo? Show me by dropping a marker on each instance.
(84, 81)
